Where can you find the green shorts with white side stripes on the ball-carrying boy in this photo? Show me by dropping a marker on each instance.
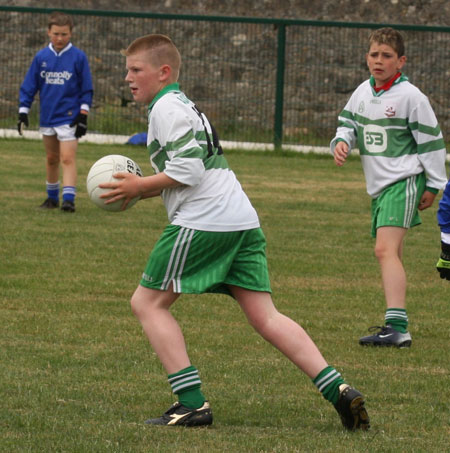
(197, 262)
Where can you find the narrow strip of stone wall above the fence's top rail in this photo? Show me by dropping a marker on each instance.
(424, 12)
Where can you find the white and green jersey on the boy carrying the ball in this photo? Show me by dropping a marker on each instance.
(211, 198)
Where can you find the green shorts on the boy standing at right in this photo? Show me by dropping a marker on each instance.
(397, 204)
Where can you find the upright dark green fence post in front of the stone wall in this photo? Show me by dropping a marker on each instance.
(279, 93)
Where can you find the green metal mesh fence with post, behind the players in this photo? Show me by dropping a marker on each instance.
(259, 80)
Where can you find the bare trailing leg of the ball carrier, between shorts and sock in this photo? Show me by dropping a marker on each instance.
(279, 330)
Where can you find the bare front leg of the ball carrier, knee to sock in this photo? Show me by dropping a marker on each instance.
(151, 307)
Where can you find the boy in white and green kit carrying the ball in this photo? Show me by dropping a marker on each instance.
(213, 244)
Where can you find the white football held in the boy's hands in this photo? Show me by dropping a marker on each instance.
(102, 171)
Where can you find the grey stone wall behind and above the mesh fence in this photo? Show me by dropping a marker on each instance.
(230, 69)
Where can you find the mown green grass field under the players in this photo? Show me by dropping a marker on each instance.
(77, 374)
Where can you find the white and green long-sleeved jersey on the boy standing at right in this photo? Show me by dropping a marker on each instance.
(397, 134)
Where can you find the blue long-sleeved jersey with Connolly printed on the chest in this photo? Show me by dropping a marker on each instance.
(64, 83)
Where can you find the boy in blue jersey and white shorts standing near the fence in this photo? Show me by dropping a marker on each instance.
(61, 74)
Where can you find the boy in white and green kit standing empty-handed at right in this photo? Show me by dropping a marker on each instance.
(403, 157)
